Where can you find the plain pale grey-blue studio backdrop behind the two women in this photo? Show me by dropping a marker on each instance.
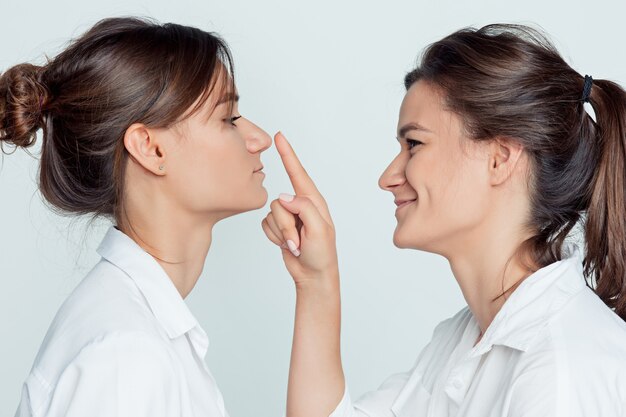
(329, 75)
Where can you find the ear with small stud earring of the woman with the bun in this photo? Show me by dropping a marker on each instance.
(142, 144)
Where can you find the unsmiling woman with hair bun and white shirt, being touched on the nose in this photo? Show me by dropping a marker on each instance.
(140, 125)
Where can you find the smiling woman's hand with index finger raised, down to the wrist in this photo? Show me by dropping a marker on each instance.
(301, 225)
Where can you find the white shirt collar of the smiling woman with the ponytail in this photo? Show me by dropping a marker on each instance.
(538, 298)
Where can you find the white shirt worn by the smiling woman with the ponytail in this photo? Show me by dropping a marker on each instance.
(554, 350)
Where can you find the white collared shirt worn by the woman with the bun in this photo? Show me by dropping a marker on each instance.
(124, 343)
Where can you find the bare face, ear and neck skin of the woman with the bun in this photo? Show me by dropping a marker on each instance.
(210, 170)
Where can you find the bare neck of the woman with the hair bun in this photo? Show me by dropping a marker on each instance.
(178, 242)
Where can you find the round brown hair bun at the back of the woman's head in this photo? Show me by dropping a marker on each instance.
(22, 97)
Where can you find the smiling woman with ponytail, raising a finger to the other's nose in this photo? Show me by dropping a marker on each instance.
(500, 159)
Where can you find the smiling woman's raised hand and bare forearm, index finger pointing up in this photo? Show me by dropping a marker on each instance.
(302, 227)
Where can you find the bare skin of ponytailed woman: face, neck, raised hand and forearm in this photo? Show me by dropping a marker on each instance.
(455, 197)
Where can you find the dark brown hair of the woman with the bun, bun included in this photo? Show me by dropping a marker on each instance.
(122, 71)
